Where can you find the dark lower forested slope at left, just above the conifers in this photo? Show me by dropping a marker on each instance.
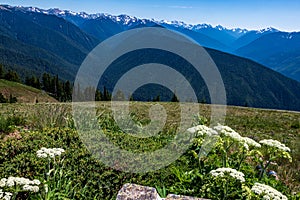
(28, 59)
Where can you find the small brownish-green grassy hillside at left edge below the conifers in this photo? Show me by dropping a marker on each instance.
(24, 94)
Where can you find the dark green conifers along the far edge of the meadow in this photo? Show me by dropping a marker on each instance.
(63, 90)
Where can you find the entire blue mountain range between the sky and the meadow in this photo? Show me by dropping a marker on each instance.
(34, 40)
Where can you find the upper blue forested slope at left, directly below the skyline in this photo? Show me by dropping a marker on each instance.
(47, 32)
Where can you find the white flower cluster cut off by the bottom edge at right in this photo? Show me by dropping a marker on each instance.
(267, 192)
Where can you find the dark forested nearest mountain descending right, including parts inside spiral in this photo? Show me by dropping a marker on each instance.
(246, 82)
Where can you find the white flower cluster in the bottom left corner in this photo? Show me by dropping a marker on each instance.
(27, 185)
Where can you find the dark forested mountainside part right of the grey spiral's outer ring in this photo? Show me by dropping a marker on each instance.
(255, 84)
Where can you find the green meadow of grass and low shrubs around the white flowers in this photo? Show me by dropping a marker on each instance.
(76, 174)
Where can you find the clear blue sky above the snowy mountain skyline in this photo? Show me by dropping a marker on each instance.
(250, 14)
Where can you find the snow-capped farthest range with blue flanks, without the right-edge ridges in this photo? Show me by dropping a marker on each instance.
(102, 25)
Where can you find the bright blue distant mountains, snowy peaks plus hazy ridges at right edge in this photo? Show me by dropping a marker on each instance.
(284, 57)
